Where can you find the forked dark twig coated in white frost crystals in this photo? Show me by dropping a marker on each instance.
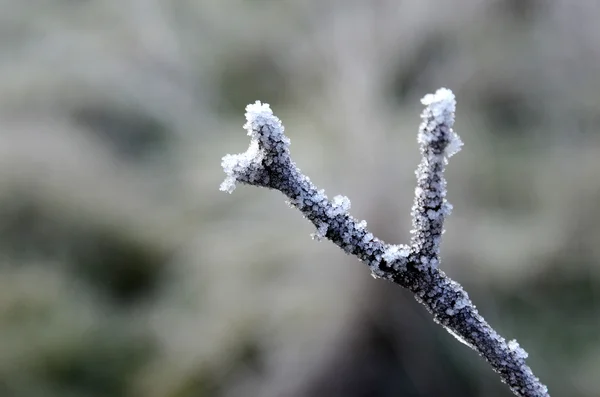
(267, 163)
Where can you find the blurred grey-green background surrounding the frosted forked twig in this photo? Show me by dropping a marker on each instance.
(125, 272)
